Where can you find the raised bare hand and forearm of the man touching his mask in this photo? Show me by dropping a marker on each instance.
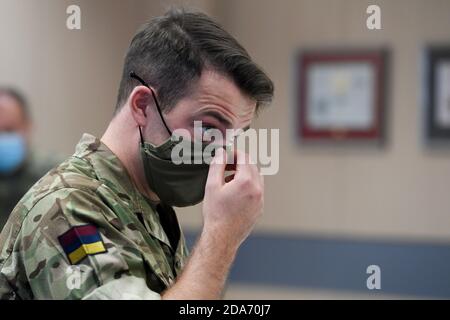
(230, 211)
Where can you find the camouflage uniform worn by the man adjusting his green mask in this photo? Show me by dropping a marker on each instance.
(140, 258)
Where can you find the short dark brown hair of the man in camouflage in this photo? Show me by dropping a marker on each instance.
(171, 51)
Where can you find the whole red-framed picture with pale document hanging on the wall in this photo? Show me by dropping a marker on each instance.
(341, 96)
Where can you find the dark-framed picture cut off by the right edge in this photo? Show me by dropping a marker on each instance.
(437, 102)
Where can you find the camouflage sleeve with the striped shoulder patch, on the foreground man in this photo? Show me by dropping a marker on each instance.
(52, 274)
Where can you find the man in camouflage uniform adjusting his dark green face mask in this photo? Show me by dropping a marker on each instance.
(101, 225)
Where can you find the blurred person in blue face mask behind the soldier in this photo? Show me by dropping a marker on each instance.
(19, 167)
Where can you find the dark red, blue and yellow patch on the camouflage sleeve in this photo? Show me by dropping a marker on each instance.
(81, 241)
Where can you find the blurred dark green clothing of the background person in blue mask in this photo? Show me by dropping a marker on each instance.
(13, 187)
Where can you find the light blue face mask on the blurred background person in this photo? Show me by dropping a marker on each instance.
(12, 152)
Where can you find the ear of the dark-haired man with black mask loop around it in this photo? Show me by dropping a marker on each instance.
(140, 100)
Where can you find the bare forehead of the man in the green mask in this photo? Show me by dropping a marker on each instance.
(216, 90)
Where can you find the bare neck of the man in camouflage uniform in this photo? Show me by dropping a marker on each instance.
(123, 140)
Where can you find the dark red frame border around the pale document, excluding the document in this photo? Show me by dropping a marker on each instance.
(374, 133)
